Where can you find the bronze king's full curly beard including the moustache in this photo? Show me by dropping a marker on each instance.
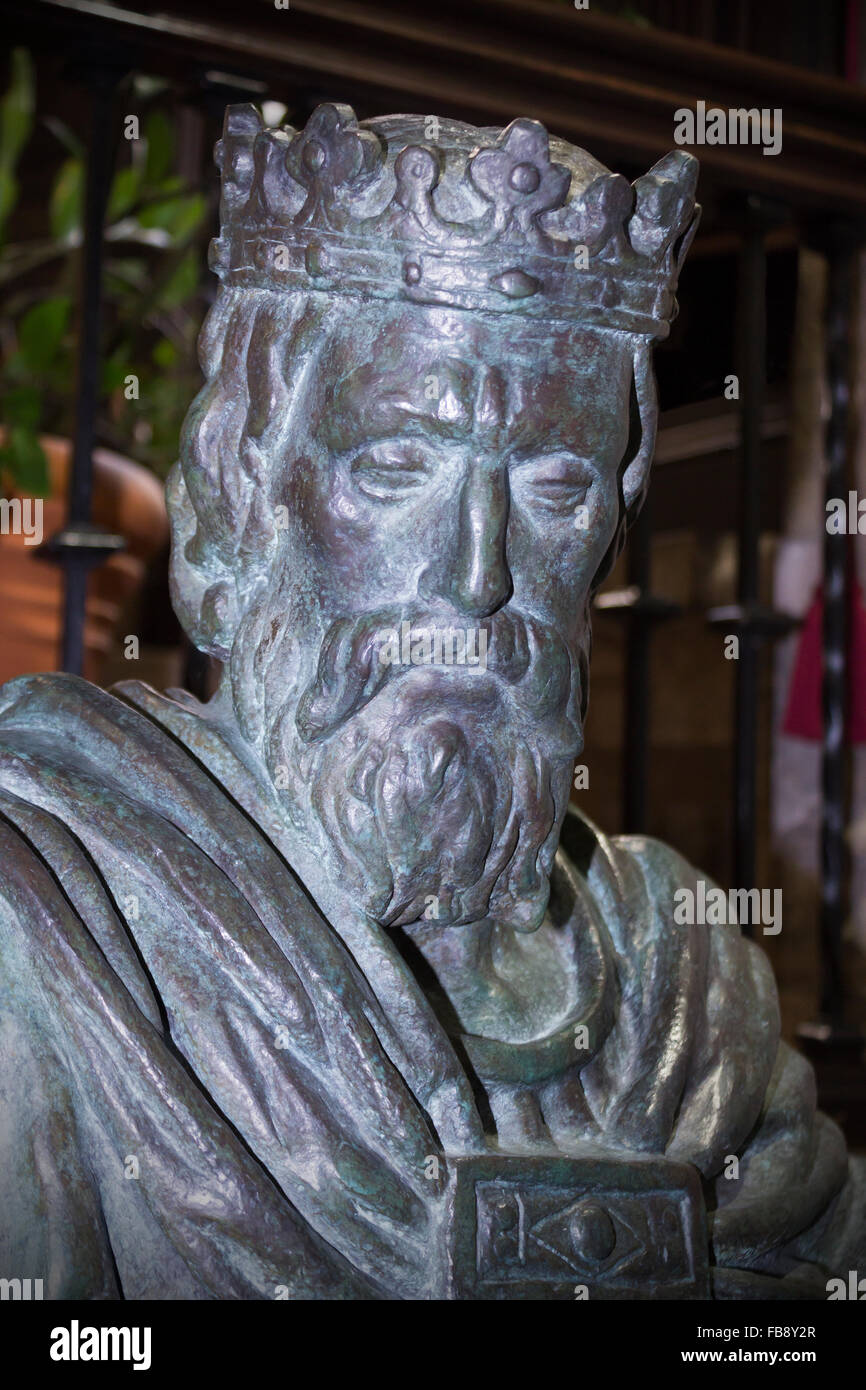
(440, 789)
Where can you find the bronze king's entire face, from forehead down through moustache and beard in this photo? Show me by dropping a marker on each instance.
(462, 475)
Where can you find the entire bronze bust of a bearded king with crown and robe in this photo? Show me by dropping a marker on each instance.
(320, 989)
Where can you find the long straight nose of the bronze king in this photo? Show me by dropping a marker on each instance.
(473, 575)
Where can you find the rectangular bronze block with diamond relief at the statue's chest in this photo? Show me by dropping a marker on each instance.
(576, 1228)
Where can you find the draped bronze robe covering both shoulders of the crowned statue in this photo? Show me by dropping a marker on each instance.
(211, 1092)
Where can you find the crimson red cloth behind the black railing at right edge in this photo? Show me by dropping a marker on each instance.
(804, 711)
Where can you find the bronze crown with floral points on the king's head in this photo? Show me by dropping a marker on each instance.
(437, 212)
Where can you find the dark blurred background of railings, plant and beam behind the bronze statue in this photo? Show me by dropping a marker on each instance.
(754, 768)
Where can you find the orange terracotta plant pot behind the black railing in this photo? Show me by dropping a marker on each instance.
(129, 500)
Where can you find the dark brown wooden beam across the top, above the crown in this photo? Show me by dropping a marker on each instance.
(603, 83)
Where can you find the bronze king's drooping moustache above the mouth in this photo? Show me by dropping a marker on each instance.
(521, 654)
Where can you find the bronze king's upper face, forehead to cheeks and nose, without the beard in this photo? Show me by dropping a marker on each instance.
(462, 461)
